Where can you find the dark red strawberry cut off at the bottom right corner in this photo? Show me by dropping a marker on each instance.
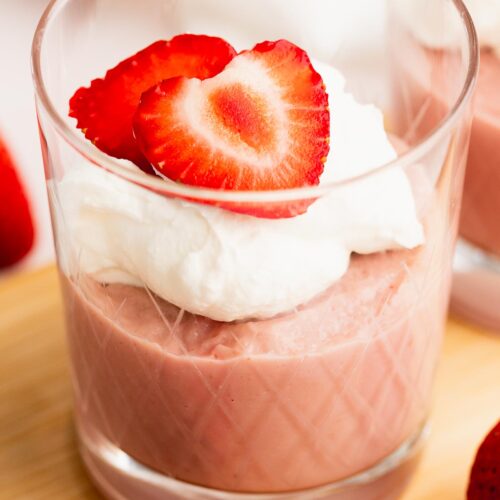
(484, 483)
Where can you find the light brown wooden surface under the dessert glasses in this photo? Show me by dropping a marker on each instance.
(38, 455)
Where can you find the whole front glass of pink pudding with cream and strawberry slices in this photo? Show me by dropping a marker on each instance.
(254, 254)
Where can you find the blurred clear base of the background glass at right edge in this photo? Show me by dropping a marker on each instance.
(476, 286)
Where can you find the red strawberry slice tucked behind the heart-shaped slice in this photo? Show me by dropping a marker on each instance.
(104, 110)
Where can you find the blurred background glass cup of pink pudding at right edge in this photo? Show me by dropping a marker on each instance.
(476, 282)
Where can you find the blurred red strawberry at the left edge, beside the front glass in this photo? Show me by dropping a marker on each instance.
(16, 224)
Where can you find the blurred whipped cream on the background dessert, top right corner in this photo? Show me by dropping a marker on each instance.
(437, 24)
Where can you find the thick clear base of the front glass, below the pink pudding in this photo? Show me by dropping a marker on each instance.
(120, 477)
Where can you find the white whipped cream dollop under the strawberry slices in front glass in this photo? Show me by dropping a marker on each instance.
(228, 266)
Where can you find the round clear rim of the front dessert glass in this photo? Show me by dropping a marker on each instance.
(157, 184)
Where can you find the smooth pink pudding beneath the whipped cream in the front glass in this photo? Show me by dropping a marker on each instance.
(337, 384)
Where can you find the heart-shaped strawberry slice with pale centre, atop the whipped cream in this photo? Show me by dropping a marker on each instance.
(261, 124)
